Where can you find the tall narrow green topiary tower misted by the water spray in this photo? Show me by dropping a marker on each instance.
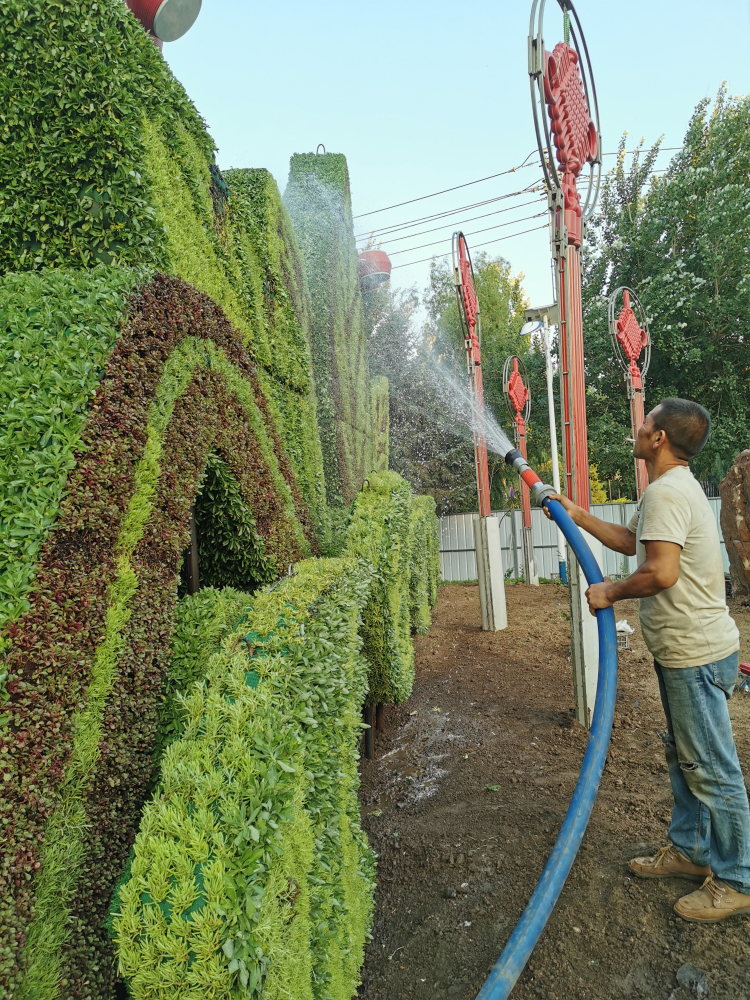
(319, 202)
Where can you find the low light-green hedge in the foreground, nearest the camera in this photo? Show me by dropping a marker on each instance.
(251, 874)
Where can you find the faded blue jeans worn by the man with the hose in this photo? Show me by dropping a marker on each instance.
(711, 819)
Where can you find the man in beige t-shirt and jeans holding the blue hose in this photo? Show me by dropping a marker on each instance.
(695, 643)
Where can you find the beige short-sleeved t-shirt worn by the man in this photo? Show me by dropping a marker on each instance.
(688, 624)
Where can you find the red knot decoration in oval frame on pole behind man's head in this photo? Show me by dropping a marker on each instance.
(630, 335)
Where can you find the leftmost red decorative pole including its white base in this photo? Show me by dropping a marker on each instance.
(486, 527)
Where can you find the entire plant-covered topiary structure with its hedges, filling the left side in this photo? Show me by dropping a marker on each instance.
(170, 338)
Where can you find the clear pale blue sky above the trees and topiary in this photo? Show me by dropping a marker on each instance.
(421, 97)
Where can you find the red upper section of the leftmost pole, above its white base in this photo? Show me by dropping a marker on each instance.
(468, 308)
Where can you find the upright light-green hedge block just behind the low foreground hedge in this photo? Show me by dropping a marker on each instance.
(380, 532)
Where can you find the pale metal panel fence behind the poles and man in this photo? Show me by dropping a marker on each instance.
(458, 560)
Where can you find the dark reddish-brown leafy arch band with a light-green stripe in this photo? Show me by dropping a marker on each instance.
(87, 658)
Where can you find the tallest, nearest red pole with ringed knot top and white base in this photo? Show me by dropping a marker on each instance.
(566, 119)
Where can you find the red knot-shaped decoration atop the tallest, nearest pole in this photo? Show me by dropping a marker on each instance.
(572, 126)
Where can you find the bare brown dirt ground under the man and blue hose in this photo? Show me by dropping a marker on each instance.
(463, 802)
